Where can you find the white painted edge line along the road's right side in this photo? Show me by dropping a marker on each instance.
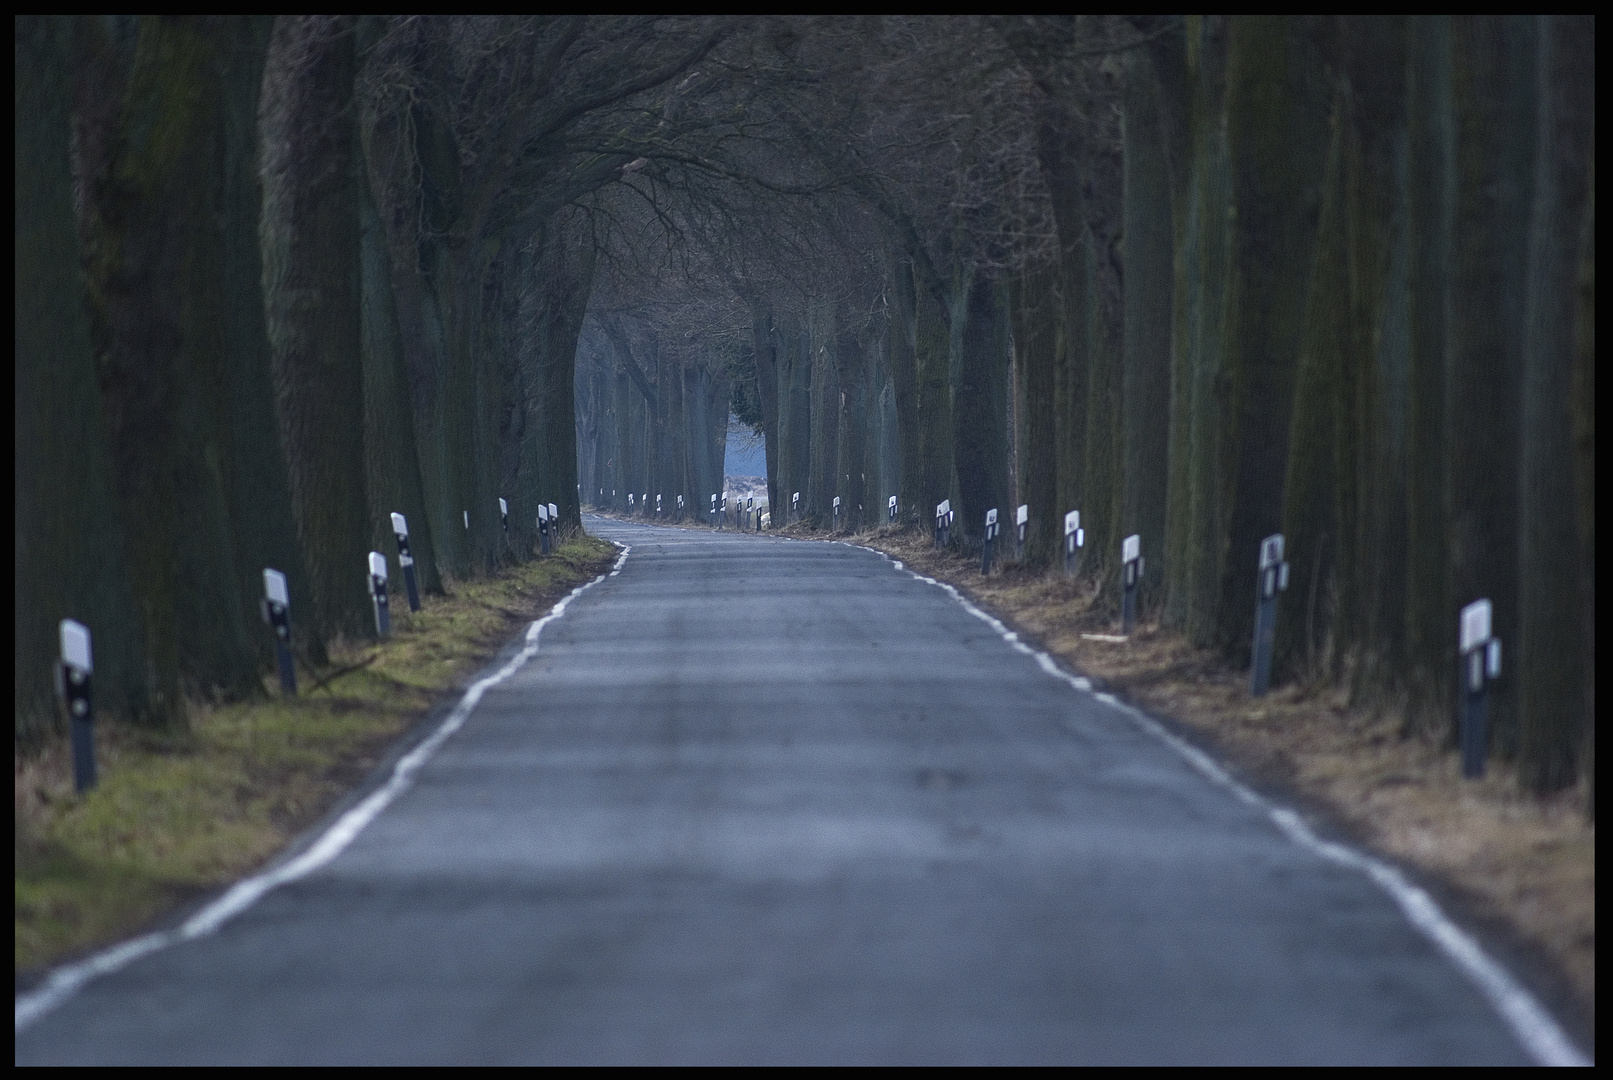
(1541, 1037)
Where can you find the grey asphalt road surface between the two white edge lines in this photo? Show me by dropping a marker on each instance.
(777, 802)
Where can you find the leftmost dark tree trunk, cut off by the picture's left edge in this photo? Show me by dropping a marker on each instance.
(69, 539)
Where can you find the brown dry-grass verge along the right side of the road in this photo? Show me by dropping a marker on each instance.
(1517, 868)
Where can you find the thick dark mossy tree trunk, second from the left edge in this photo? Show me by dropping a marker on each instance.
(159, 262)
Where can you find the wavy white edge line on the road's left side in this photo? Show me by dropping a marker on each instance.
(65, 981)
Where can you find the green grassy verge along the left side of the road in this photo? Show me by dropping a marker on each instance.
(180, 816)
